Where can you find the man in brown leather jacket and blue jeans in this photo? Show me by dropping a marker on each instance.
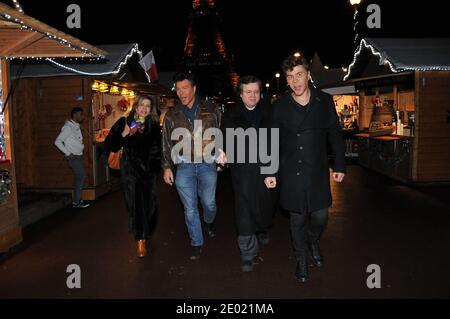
(196, 174)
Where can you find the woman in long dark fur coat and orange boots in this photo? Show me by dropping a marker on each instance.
(139, 136)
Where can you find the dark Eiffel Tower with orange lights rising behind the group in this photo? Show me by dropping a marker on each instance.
(205, 53)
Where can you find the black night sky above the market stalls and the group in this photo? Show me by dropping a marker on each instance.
(258, 34)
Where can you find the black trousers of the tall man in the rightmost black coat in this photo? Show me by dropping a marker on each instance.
(307, 227)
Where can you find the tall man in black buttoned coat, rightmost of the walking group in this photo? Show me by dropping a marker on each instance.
(309, 127)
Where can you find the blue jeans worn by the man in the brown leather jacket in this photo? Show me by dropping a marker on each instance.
(193, 181)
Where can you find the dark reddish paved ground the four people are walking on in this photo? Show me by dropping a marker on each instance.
(373, 221)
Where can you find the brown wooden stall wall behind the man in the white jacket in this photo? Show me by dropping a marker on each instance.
(52, 100)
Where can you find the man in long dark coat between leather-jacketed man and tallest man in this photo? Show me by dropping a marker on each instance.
(254, 204)
